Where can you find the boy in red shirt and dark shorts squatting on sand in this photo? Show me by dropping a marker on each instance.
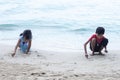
(97, 42)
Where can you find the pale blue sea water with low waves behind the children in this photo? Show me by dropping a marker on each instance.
(59, 25)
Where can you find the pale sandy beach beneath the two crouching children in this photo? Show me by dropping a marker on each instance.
(50, 65)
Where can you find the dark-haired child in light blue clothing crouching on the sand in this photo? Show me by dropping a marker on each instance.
(24, 43)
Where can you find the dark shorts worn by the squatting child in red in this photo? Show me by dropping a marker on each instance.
(99, 46)
